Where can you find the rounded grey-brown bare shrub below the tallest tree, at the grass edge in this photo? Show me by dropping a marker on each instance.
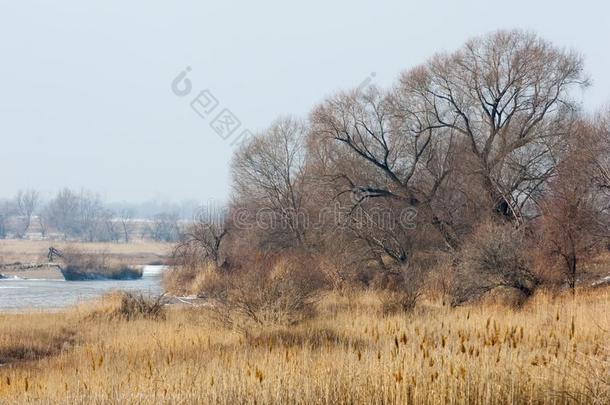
(495, 257)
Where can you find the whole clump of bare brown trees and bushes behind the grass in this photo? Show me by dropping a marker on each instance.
(475, 172)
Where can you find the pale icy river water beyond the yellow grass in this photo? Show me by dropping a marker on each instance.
(31, 294)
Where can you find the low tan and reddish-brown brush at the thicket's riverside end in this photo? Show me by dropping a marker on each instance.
(271, 292)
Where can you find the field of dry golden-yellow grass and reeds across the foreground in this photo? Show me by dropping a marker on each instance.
(551, 351)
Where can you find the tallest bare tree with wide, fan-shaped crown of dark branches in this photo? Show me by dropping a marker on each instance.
(508, 96)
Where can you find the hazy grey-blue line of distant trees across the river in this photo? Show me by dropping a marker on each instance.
(83, 215)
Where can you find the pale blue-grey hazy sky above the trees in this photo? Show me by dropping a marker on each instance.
(85, 86)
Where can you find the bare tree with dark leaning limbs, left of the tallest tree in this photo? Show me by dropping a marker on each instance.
(368, 149)
